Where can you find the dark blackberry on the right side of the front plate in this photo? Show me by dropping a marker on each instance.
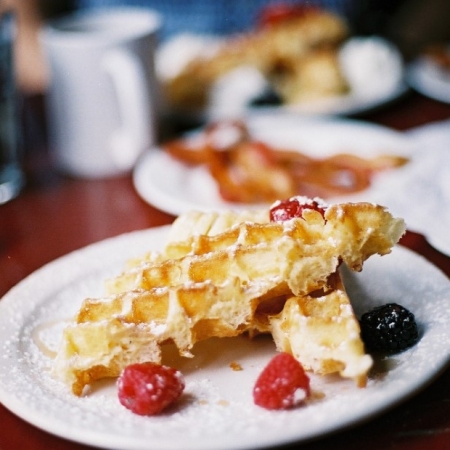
(390, 328)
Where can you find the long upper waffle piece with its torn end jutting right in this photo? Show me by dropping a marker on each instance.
(301, 253)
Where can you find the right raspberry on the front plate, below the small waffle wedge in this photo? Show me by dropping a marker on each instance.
(280, 383)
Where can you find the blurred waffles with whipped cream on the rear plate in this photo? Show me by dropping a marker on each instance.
(307, 63)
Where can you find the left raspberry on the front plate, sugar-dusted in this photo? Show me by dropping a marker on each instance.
(147, 388)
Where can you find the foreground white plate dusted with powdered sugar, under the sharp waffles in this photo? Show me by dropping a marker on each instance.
(216, 411)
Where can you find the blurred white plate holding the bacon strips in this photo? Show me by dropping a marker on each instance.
(176, 188)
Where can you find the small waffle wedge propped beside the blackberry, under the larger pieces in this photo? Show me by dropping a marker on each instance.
(322, 332)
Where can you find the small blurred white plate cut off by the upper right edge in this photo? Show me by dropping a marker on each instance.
(428, 79)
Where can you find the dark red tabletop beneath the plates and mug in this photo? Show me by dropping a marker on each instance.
(55, 215)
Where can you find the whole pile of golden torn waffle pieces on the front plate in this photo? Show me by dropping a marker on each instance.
(225, 280)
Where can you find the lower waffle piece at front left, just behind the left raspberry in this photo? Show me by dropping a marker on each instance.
(112, 332)
